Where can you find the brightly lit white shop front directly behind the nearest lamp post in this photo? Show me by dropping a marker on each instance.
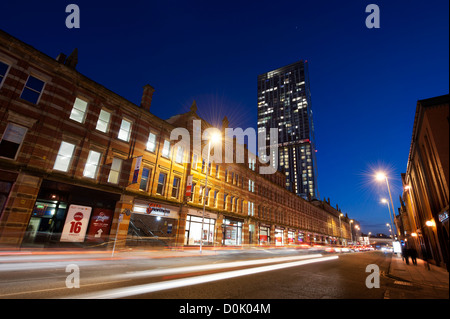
(199, 228)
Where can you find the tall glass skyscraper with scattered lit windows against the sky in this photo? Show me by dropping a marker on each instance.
(284, 102)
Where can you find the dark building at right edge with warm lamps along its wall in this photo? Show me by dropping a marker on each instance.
(425, 200)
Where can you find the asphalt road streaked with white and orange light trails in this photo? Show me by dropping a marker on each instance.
(241, 275)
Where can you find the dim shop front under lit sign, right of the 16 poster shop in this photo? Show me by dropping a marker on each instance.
(152, 224)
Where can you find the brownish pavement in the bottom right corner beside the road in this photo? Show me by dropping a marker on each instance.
(417, 281)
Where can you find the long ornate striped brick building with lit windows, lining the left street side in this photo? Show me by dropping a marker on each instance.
(75, 156)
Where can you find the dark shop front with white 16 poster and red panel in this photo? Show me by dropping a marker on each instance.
(70, 216)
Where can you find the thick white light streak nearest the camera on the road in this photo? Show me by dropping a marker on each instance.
(159, 286)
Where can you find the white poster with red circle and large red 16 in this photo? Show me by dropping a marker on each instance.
(76, 223)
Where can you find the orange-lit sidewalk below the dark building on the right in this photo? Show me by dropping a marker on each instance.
(434, 281)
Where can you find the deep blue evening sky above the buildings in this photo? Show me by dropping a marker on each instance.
(365, 83)
